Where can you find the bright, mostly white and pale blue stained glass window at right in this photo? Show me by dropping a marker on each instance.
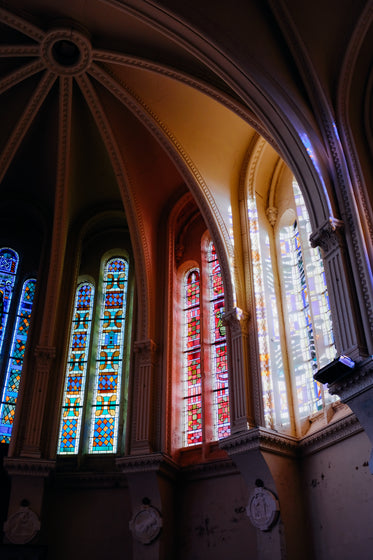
(308, 312)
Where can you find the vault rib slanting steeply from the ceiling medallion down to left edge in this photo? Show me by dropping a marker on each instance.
(25, 122)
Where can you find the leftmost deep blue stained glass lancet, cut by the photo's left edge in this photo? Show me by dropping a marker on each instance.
(8, 269)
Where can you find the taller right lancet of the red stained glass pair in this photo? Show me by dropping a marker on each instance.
(219, 361)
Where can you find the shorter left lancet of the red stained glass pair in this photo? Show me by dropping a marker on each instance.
(192, 359)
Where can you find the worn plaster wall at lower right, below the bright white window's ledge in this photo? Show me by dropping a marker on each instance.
(338, 488)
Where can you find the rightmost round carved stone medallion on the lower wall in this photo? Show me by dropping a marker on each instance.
(262, 509)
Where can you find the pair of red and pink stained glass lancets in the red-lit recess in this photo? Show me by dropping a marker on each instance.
(206, 392)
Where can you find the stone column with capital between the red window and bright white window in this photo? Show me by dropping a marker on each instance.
(240, 386)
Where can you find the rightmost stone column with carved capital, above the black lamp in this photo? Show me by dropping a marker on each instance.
(346, 324)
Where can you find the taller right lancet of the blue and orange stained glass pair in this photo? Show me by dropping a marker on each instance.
(106, 399)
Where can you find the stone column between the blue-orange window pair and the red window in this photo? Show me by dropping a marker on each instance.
(143, 427)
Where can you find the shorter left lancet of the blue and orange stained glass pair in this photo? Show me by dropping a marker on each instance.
(75, 379)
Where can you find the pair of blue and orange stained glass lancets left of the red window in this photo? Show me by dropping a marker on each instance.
(91, 407)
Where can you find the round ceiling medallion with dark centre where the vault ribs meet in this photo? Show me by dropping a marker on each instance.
(66, 51)
